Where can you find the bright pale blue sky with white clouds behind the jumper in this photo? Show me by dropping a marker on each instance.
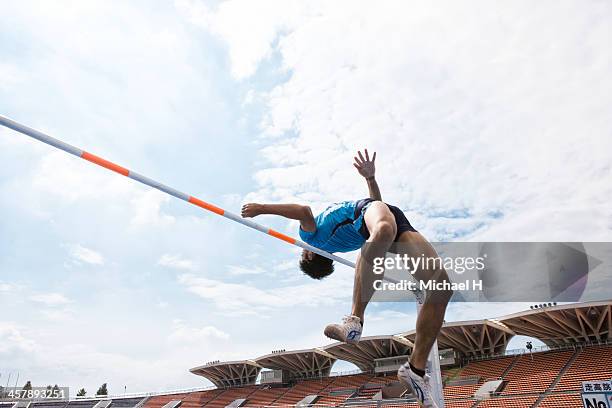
(490, 122)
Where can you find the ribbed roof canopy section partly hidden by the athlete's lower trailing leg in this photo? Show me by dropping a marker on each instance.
(472, 337)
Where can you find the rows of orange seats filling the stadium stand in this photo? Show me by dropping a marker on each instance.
(550, 379)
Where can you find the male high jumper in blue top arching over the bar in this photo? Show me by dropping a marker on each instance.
(373, 226)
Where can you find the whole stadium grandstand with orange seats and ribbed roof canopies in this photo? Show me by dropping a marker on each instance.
(477, 369)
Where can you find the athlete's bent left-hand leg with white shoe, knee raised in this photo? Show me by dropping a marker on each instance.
(382, 228)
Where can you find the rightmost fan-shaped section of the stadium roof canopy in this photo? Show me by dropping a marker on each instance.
(563, 324)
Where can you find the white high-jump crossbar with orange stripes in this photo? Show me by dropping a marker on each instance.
(11, 124)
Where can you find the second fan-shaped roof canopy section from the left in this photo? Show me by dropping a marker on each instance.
(301, 363)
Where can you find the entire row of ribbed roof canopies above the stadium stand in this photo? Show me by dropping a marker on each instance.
(554, 325)
